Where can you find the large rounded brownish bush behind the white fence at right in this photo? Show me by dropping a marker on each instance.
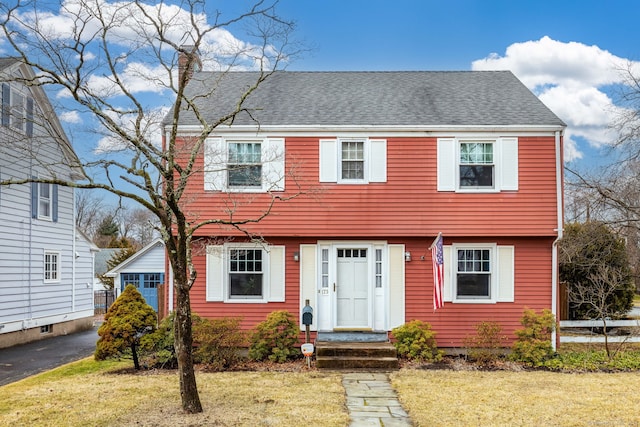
(595, 266)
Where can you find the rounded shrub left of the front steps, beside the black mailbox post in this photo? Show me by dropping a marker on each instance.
(275, 338)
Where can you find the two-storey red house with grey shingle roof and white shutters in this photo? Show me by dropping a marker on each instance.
(386, 162)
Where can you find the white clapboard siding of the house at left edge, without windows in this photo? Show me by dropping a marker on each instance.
(24, 296)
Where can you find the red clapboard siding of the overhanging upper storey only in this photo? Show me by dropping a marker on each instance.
(406, 205)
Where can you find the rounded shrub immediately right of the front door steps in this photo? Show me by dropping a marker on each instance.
(415, 340)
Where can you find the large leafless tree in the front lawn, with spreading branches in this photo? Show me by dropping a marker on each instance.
(99, 58)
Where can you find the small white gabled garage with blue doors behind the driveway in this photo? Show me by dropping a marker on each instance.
(145, 269)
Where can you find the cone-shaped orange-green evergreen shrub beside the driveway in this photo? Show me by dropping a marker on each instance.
(128, 318)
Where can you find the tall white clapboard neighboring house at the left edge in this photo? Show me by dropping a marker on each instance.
(46, 265)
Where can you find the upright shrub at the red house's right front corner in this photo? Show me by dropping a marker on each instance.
(533, 345)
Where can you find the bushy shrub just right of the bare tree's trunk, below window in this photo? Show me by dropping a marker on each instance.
(218, 342)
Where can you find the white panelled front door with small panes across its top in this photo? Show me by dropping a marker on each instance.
(352, 288)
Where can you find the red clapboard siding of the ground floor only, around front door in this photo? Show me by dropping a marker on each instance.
(452, 323)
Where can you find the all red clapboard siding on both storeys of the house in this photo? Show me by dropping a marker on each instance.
(406, 209)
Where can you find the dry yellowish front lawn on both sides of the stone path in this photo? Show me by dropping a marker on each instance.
(89, 393)
